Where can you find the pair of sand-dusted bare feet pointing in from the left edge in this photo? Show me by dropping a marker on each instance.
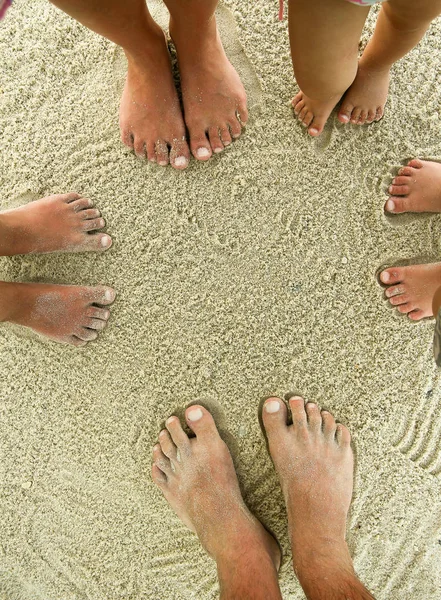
(61, 223)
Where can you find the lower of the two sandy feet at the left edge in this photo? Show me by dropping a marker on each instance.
(67, 314)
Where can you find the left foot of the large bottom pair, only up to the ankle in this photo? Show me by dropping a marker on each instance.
(197, 478)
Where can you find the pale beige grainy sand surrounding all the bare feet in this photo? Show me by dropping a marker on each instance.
(252, 274)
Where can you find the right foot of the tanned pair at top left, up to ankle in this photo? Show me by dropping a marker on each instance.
(213, 95)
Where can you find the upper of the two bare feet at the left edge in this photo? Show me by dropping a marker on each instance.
(60, 223)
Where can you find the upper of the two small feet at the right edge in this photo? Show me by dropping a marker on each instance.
(417, 188)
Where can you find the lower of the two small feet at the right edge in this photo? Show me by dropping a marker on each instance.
(411, 289)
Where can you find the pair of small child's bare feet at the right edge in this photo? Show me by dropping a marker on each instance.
(412, 289)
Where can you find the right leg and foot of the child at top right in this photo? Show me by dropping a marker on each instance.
(401, 25)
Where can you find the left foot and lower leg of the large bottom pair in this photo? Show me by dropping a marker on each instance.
(197, 478)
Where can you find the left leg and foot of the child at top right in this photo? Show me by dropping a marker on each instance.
(324, 36)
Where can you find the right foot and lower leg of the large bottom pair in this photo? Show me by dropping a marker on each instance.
(314, 461)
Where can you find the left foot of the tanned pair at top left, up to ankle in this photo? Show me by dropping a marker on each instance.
(150, 114)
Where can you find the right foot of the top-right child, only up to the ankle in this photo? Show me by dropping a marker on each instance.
(364, 101)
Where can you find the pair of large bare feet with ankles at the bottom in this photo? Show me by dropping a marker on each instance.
(314, 462)
